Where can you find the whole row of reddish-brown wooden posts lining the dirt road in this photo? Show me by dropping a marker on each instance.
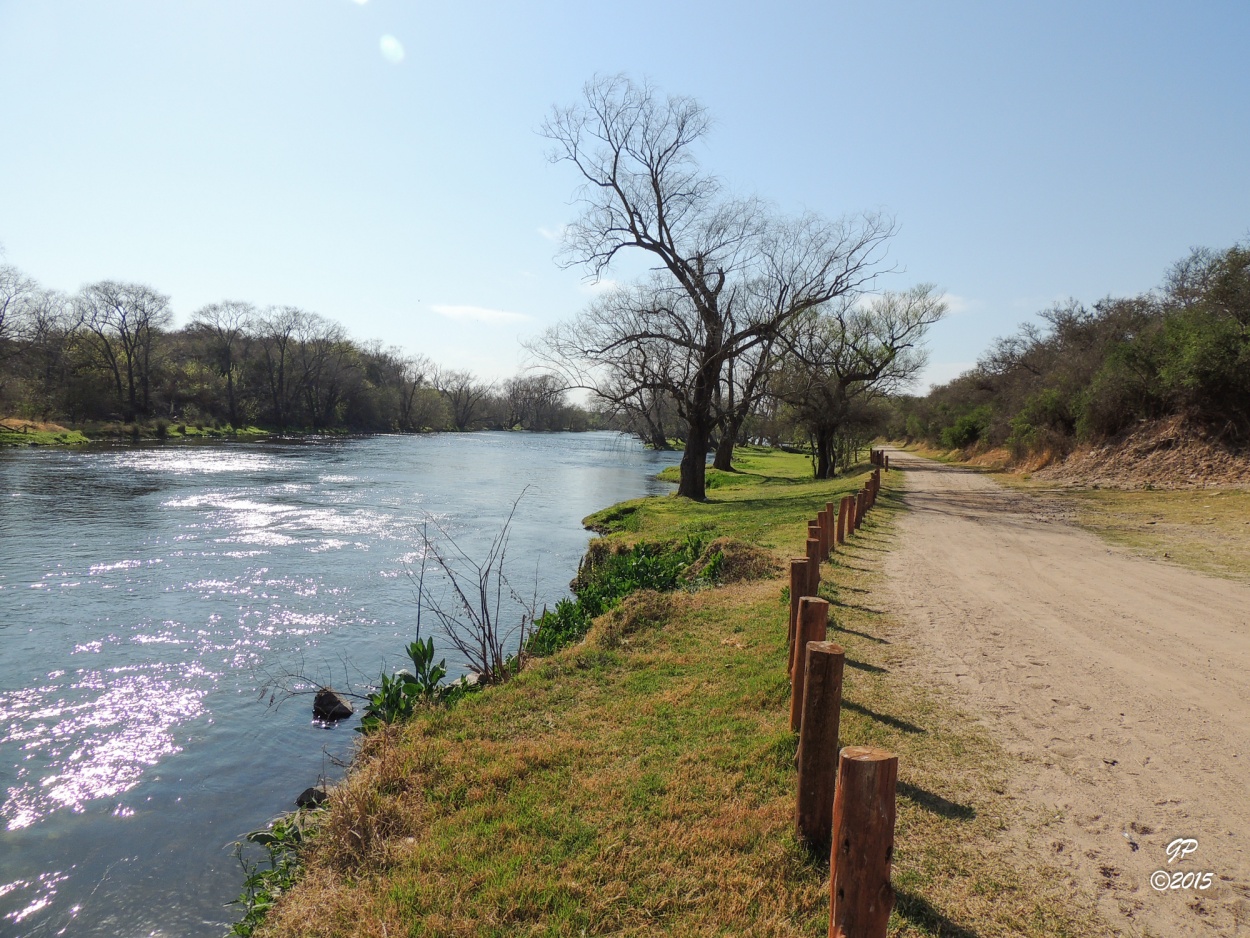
(846, 800)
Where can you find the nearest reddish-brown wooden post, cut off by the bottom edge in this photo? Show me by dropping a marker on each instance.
(863, 850)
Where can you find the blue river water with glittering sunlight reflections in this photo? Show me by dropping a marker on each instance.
(151, 595)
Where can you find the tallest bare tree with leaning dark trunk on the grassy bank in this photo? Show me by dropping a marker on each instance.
(731, 275)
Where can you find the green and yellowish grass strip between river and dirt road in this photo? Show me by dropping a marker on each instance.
(643, 782)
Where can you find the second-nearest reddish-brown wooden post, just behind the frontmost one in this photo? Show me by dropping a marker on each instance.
(818, 742)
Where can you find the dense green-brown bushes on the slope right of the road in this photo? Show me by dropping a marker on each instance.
(1182, 351)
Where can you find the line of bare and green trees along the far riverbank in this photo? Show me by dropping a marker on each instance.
(109, 355)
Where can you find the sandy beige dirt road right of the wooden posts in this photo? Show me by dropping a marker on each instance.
(1124, 685)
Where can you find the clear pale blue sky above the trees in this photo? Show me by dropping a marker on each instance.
(379, 162)
